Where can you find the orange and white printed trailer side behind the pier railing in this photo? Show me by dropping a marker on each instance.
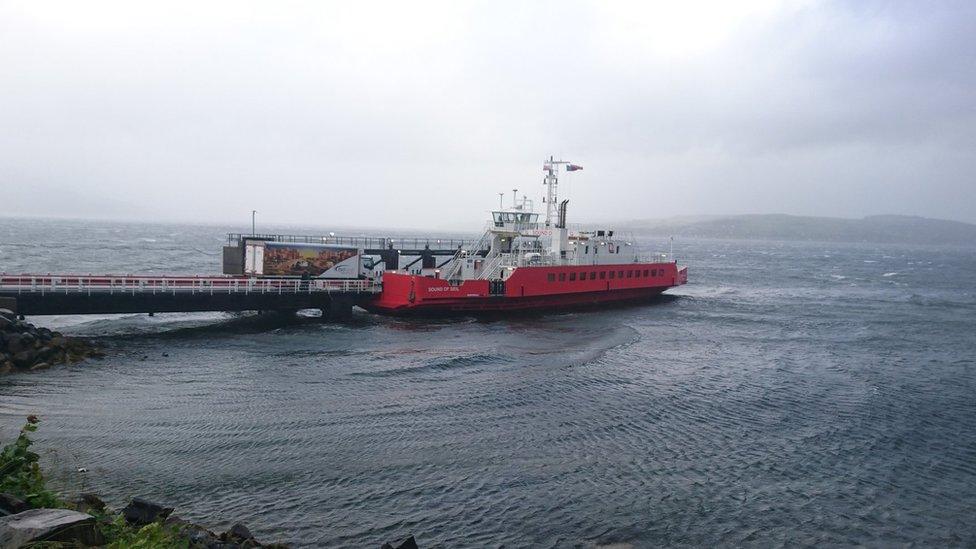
(313, 260)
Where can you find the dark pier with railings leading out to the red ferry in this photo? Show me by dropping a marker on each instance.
(237, 289)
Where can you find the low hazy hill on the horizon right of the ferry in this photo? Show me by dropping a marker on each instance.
(878, 228)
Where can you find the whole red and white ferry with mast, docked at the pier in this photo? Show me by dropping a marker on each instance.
(524, 264)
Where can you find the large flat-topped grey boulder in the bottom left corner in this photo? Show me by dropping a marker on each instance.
(35, 526)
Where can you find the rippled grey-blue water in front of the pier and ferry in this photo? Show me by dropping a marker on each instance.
(771, 403)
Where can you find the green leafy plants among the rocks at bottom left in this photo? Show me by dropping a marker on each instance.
(21, 477)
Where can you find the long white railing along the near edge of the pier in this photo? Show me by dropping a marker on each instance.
(109, 284)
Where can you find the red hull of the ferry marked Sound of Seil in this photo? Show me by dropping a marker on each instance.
(528, 289)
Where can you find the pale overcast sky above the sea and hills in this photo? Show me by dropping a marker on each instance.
(416, 114)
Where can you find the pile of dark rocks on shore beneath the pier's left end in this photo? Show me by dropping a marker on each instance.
(24, 346)
